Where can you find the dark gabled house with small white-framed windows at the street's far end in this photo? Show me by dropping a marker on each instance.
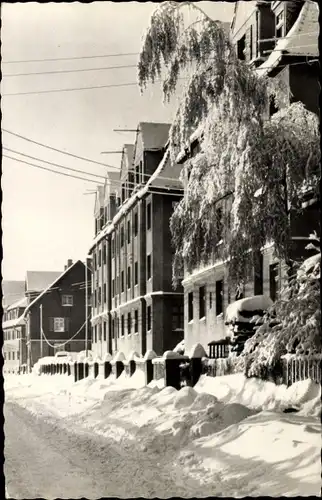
(55, 315)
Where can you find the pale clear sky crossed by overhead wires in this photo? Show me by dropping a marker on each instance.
(46, 217)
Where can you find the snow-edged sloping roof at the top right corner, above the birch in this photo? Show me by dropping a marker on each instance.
(302, 38)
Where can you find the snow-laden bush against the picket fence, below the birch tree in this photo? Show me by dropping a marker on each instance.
(292, 325)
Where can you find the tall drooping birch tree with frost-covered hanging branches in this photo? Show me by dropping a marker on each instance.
(261, 163)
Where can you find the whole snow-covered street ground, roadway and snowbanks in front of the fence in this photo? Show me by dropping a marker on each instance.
(227, 436)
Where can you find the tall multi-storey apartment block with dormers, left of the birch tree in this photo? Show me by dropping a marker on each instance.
(134, 306)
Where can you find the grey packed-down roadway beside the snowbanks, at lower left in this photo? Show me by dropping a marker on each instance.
(45, 460)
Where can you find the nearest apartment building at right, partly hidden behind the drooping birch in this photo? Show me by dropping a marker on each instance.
(280, 40)
